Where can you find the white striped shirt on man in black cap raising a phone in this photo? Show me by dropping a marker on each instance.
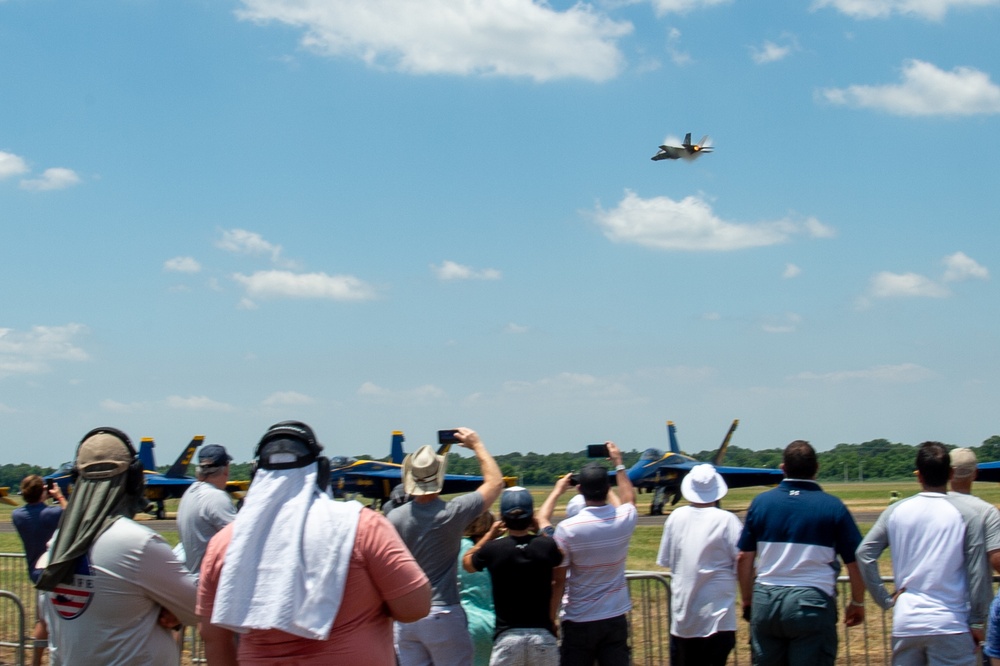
(595, 546)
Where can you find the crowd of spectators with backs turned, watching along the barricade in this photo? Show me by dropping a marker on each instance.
(296, 577)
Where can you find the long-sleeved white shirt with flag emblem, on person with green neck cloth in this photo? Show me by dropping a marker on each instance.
(108, 614)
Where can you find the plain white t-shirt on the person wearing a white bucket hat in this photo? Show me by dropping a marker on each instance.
(699, 547)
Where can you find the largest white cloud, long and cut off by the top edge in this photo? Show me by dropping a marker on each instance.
(512, 38)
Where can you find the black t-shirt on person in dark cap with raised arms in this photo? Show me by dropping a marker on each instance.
(521, 571)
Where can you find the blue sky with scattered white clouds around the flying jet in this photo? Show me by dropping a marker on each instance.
(377, 215)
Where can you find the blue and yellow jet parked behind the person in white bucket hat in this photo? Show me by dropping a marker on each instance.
(661, 473)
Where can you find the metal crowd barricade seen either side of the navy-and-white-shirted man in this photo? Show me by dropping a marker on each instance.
(868, 644)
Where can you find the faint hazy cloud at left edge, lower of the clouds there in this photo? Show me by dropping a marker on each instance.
(33, 351)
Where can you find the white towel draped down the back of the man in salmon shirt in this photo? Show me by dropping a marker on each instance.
(286, 566)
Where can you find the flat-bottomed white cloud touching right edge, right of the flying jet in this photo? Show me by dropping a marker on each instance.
(925, 90)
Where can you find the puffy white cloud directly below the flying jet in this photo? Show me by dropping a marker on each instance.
(691, 225)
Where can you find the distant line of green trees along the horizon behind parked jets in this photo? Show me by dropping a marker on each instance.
(875, 460)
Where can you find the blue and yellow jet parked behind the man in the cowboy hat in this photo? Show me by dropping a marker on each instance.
(374, 479)
